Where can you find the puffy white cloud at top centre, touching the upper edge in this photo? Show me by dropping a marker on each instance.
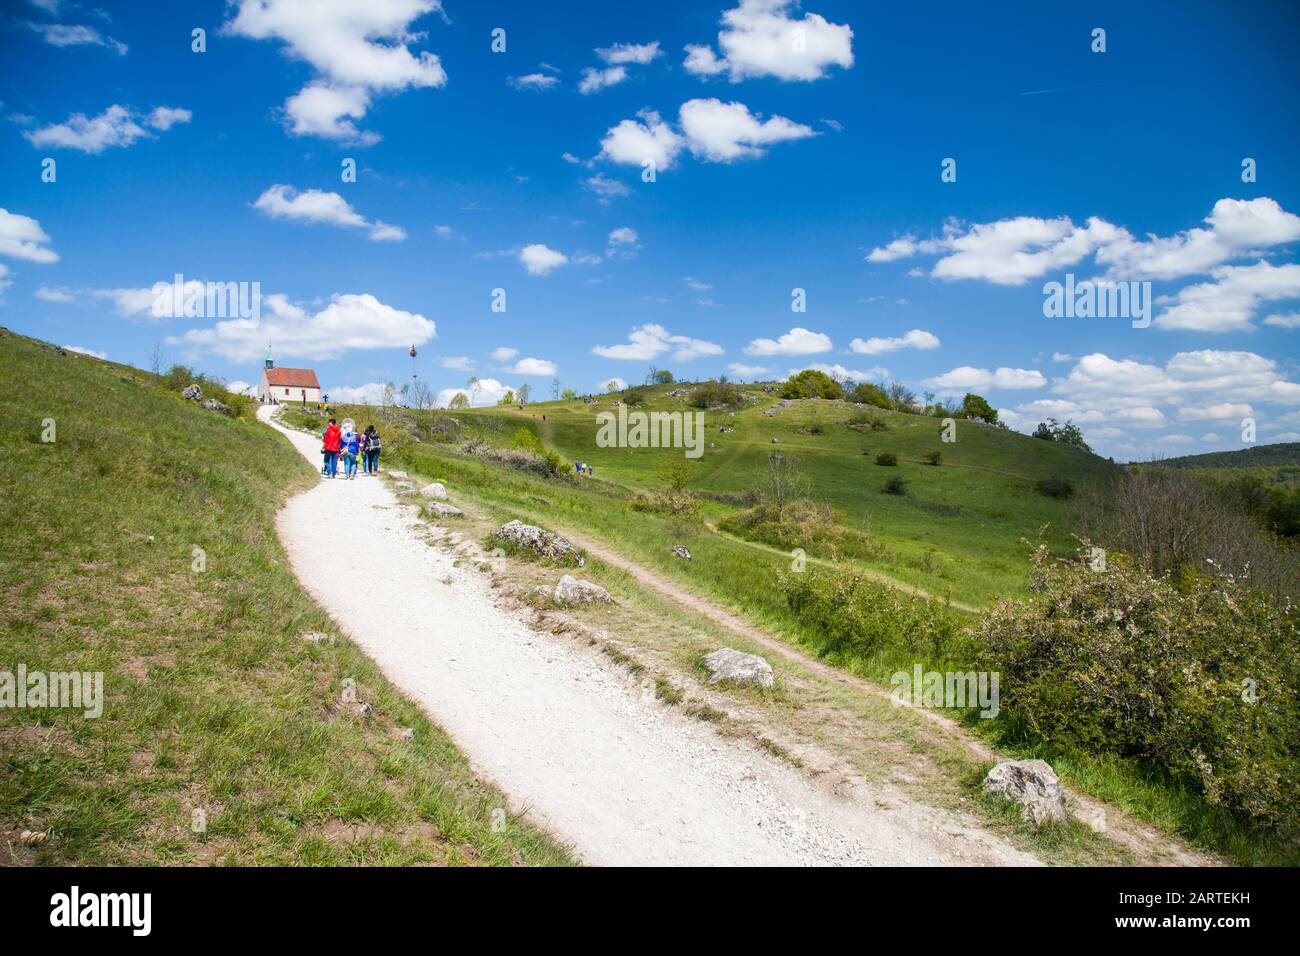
(761, 40)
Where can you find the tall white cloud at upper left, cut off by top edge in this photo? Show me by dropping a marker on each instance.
(358, 51)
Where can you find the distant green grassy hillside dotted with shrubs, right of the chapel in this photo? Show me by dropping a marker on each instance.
(959, 530)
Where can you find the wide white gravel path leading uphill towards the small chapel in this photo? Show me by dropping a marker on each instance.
(561, 729)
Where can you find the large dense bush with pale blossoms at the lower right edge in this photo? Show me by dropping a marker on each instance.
(1199, 680)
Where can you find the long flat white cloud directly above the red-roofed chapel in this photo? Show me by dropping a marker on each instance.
(350, 322)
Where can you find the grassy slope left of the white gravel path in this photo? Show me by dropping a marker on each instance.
(214, 700)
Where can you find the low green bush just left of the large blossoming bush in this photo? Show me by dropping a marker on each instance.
(859, 616)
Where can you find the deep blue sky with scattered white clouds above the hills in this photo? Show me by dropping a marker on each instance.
(794, 148)
